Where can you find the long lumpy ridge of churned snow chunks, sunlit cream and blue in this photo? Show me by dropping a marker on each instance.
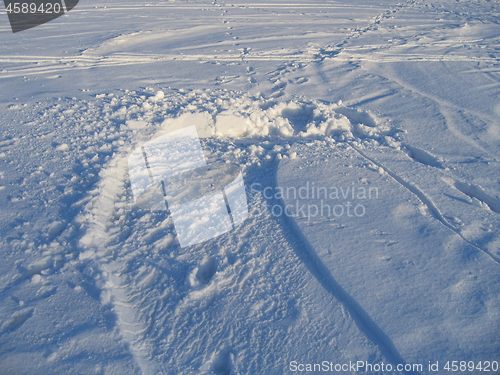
(223, 113)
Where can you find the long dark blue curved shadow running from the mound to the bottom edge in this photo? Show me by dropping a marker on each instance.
(306, 253)
